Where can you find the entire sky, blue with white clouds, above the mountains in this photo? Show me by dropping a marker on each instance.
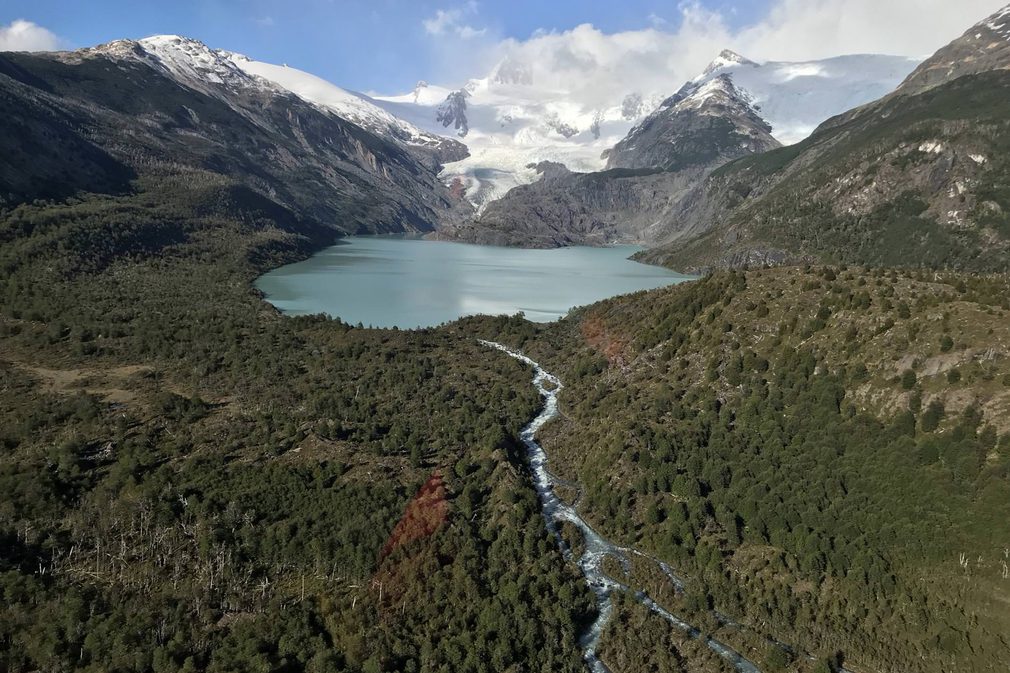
(387, 46)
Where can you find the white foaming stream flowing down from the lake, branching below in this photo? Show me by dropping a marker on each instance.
(597, 548)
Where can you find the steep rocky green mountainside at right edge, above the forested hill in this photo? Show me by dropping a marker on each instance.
(927, 160)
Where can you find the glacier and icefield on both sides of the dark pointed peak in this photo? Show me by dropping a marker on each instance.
(511, 124)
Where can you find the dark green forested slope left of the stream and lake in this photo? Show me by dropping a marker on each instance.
(193, 483)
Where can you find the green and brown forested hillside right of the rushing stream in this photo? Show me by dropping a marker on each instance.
(824, 453)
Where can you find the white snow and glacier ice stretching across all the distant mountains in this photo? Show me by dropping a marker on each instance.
(508, 123)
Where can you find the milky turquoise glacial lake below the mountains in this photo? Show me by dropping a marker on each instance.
(385, 281)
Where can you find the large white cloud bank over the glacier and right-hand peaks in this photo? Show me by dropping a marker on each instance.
(593, 65)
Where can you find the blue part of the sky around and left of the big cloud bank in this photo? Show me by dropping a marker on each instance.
(366, 45)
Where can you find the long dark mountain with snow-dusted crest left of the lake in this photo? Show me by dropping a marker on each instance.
(172, 106)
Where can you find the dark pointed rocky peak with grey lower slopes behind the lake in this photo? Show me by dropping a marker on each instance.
(674, 150)
